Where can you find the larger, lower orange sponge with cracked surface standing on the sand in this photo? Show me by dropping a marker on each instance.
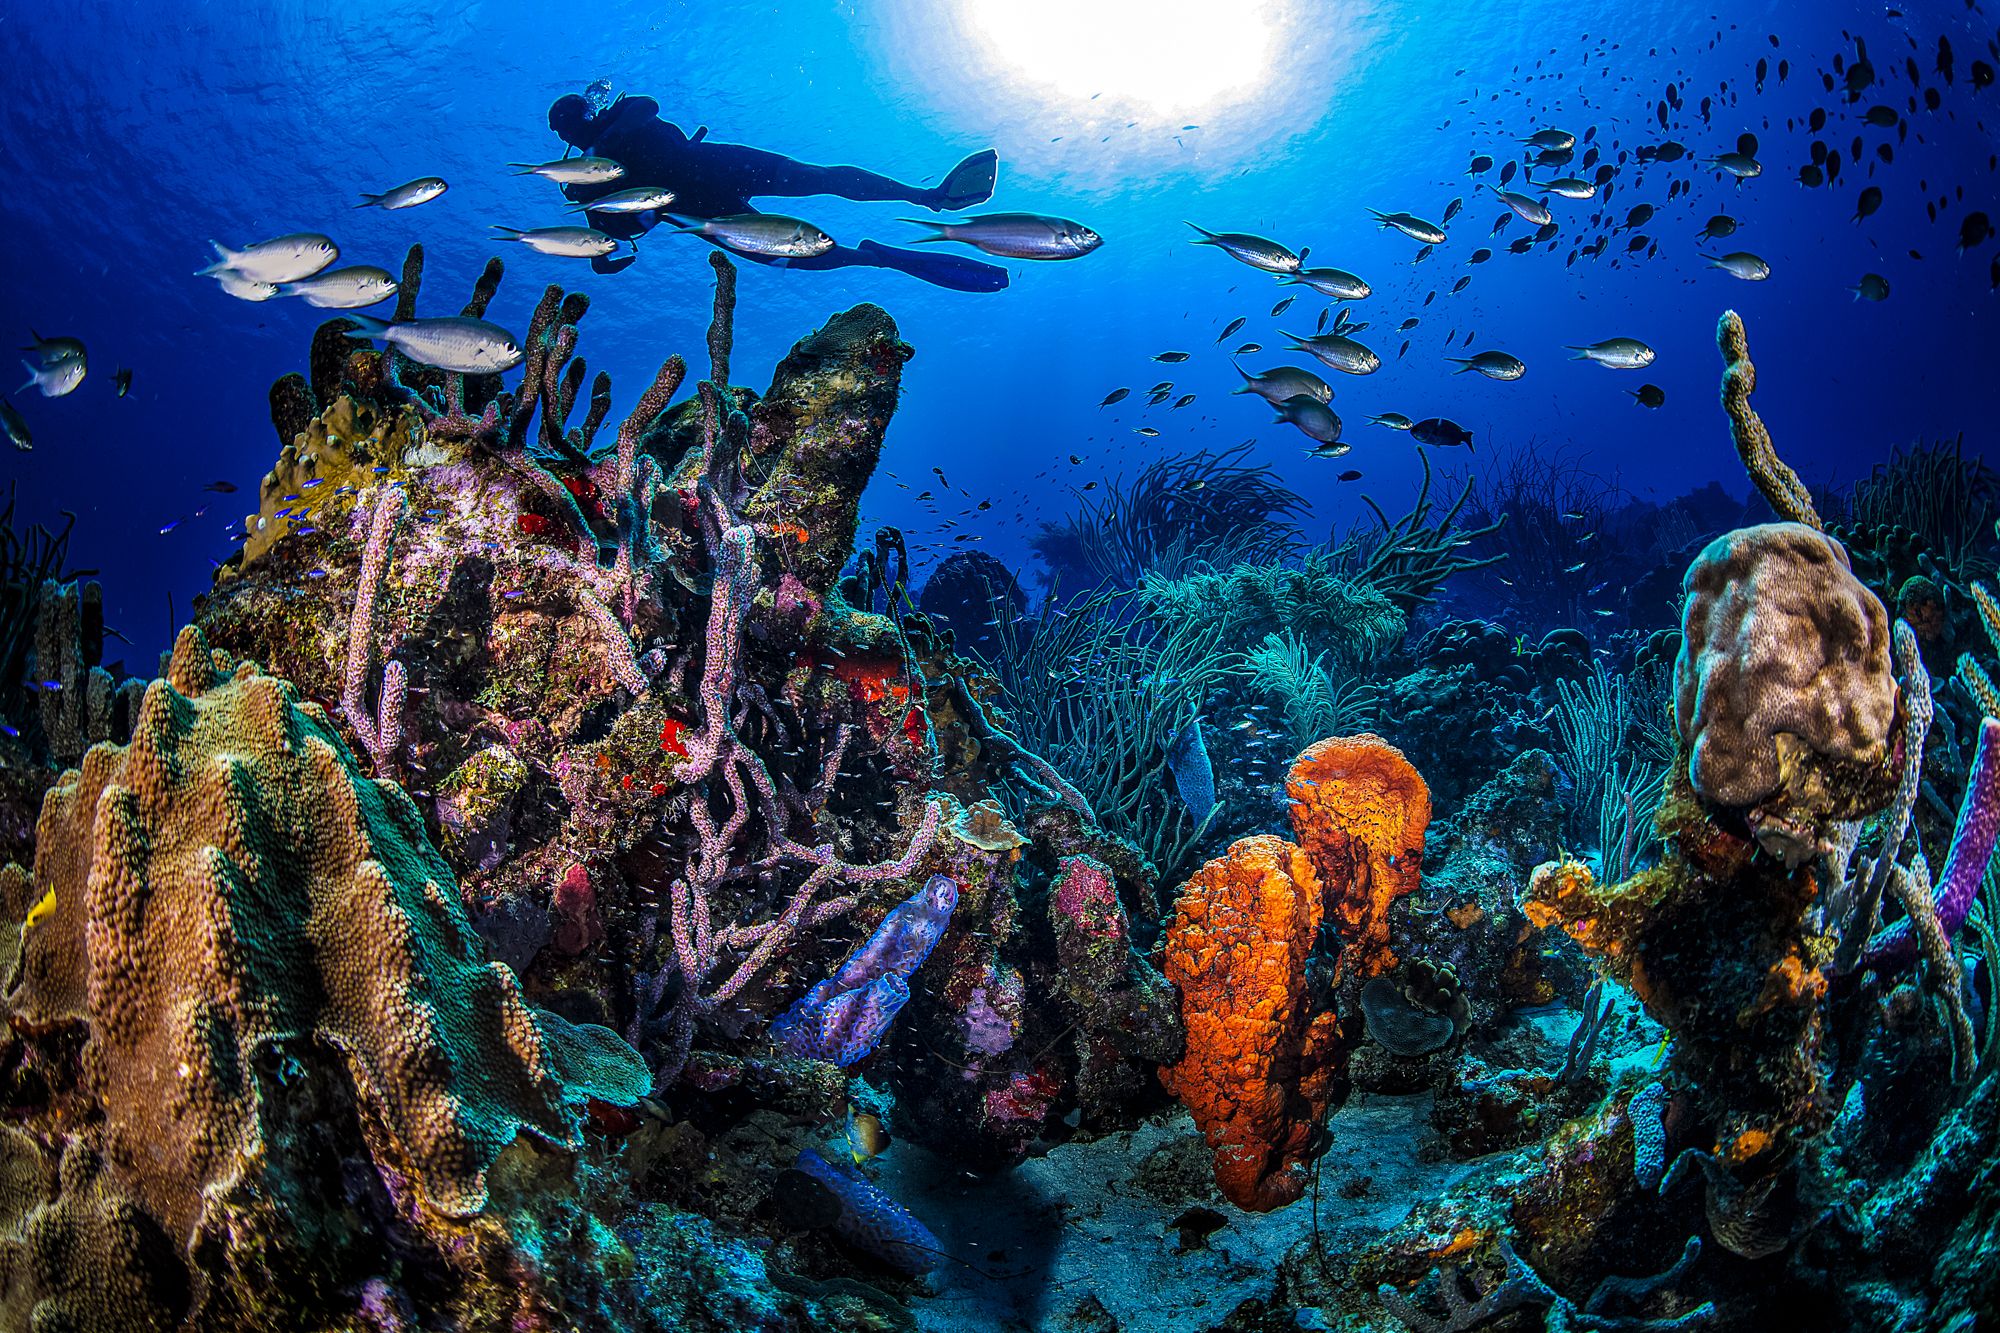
(1259, 1066)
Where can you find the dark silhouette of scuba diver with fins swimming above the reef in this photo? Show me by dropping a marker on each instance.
(715, 181)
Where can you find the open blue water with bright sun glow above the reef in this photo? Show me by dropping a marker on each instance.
(135, 141)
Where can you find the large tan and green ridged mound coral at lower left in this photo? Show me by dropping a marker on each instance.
(229, 882)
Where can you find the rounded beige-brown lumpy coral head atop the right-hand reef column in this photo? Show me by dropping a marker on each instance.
(1783, 649)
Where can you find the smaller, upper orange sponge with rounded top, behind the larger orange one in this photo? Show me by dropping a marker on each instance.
(1361, 812)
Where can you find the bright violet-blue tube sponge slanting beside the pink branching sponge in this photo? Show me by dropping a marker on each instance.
(843, 1018)
